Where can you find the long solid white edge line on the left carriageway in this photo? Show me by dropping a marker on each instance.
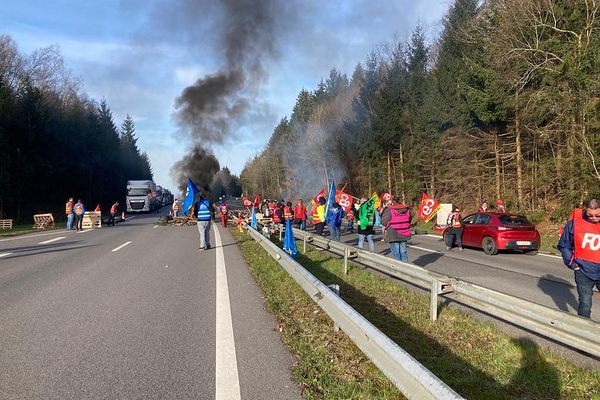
(227, 385)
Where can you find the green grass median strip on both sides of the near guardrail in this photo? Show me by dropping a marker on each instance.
(473, 357)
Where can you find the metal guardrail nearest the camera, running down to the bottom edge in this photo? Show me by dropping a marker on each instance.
(407, 374)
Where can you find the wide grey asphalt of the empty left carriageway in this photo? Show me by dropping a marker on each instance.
(132, 312)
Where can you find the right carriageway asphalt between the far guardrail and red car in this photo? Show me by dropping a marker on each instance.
(541, 278)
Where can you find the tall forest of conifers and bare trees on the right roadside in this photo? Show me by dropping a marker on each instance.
(504, 104)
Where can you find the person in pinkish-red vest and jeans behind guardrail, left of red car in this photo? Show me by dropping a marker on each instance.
(396, 219)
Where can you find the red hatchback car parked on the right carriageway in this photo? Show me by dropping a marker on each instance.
(500, 231)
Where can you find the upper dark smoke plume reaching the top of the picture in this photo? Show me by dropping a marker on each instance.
(213, 106)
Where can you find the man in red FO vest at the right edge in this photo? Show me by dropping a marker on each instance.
(579, 246)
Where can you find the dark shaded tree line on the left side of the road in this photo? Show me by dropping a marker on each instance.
(56, 142)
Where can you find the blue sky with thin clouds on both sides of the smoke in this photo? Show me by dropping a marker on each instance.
(140, 55)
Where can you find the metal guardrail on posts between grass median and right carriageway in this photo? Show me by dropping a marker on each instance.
(570, 330)
